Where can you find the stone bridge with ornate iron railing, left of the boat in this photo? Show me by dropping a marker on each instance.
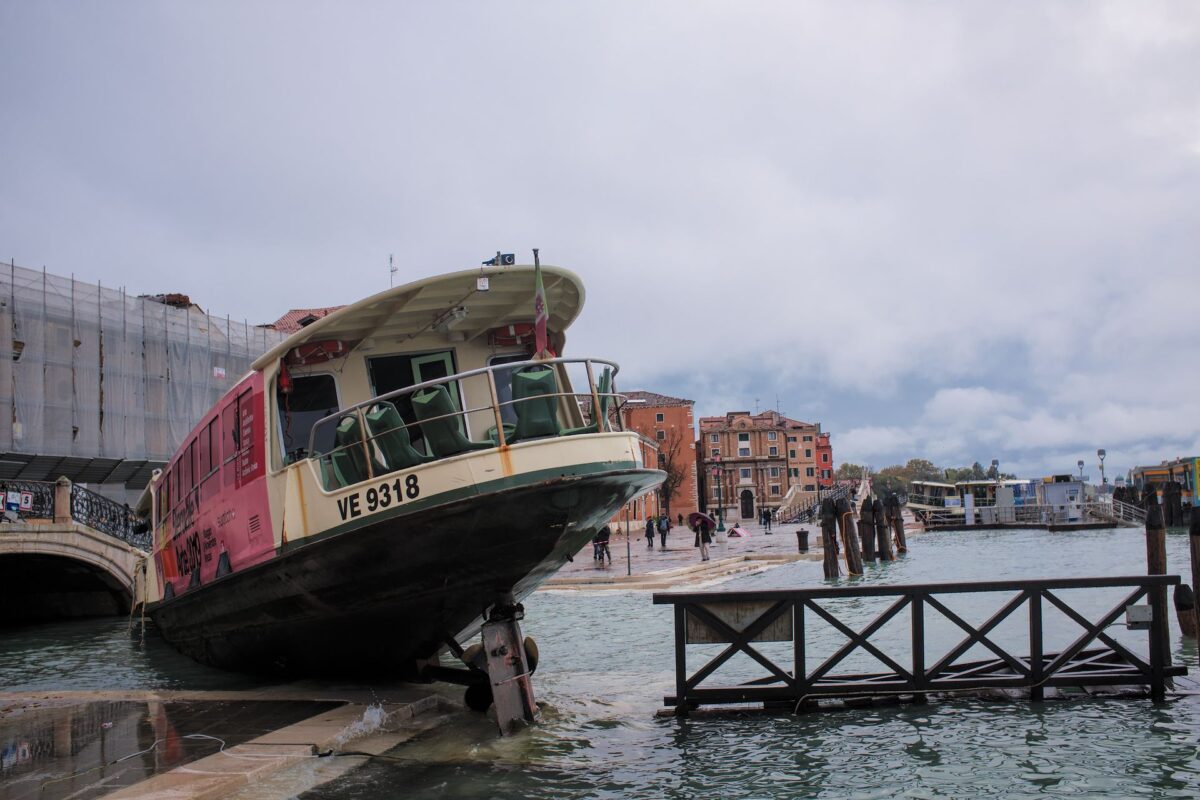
(59, 567)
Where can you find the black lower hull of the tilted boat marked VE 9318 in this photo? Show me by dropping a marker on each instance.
(371, 601)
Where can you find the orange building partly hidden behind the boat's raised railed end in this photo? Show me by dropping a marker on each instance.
(669, 424)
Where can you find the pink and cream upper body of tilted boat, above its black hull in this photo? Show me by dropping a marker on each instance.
(422, 390)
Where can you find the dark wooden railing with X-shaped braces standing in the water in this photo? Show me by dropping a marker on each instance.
(740, 619)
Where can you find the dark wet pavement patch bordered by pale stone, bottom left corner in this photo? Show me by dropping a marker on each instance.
(95, 749)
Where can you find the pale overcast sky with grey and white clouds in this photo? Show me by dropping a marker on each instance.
(950, 231)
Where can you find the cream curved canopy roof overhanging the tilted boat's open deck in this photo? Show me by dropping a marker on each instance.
(409, 311)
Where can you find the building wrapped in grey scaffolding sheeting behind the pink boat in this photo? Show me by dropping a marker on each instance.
(103, 387)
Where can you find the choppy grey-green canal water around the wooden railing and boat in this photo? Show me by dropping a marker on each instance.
(608, 660)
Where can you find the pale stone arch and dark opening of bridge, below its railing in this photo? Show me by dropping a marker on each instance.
(64, 570)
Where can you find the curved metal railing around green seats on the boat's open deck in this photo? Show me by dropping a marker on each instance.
(376, 437)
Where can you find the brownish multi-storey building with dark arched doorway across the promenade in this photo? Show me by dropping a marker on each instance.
(749, 462)
